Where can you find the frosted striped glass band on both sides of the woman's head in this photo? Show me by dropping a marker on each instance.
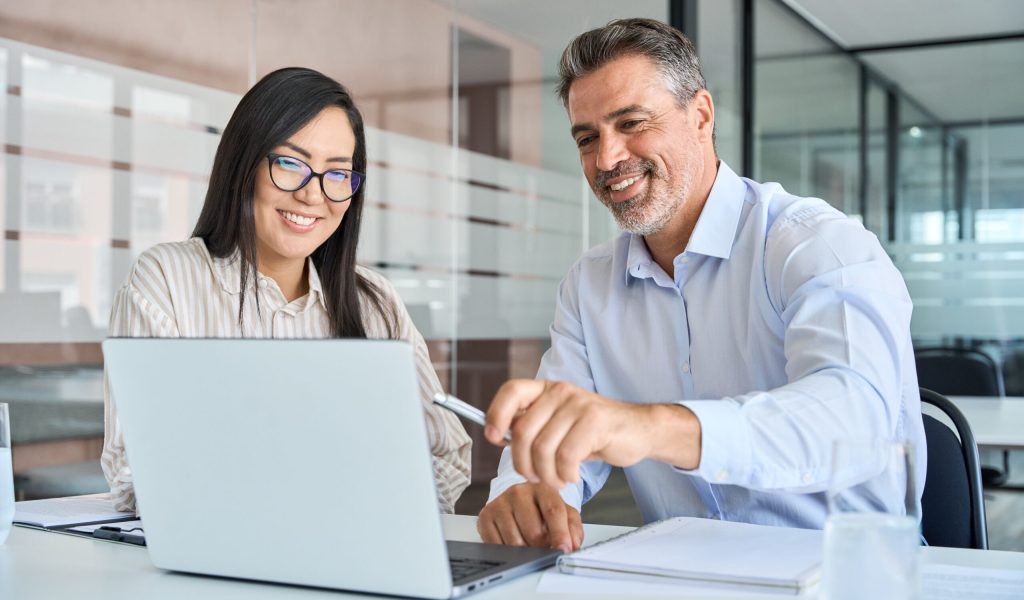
(478, 244)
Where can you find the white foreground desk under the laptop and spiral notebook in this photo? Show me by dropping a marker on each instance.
(41, 566)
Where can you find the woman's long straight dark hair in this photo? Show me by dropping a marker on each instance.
(273, 111)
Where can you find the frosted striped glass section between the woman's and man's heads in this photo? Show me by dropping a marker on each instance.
(490, 246)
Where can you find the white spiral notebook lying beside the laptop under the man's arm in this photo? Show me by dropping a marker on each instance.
(739, 556)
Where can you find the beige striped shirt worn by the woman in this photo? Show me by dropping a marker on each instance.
(179, 290)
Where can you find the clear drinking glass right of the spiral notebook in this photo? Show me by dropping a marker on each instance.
(872, 538)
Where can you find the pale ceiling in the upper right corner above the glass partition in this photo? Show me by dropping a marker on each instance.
(965, 82)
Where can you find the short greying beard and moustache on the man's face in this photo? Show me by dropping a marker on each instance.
(651, 211)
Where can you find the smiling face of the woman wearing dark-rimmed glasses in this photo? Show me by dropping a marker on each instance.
(290, 226)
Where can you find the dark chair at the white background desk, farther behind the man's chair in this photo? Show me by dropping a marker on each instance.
(964, 372)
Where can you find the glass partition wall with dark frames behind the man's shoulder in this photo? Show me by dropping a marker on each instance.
(917, 144)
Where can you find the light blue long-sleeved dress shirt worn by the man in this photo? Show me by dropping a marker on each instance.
(787, 327)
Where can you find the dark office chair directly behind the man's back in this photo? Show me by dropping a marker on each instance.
(953, 506)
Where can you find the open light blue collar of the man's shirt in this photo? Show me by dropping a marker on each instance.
(715, 232)
